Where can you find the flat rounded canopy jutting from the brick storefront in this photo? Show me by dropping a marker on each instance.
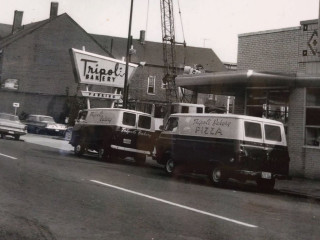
(231, 81)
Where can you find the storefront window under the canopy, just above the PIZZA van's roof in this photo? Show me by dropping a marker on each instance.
(268, 103)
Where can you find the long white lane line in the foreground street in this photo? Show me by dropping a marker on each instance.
(176, 204)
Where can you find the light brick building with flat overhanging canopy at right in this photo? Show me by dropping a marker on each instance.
(278, 77)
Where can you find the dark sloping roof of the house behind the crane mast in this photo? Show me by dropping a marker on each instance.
(152, 53)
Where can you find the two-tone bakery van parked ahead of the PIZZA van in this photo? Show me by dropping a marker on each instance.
(114, 132)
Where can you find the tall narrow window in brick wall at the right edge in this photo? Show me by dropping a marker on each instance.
(312, 133)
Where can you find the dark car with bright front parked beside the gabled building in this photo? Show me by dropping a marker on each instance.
(42, 124)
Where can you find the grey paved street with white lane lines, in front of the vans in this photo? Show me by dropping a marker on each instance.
(48, 193)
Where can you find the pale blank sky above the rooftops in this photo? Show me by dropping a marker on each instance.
(213, 24)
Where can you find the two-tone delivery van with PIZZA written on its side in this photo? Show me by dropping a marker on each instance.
(225, 146)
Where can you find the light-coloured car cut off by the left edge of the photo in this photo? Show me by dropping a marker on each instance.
(11, 125)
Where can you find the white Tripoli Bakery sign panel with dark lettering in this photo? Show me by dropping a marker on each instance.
(96, 69)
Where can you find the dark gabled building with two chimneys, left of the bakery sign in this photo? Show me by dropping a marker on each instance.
(35, 64)
